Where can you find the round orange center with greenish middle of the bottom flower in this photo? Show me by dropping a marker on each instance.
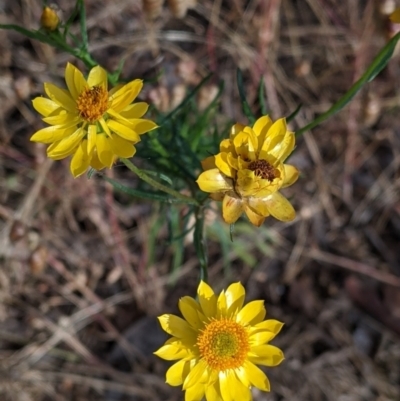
(224, 344)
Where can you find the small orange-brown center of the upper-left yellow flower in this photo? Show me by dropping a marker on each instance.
(92, 103)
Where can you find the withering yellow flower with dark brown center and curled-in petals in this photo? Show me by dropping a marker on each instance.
(249, 171)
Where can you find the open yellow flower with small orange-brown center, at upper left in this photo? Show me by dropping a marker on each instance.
(87, 121)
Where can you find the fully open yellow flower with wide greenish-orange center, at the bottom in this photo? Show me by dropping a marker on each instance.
(219, 344)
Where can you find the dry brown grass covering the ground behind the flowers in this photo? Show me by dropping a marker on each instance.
(79, 286)
